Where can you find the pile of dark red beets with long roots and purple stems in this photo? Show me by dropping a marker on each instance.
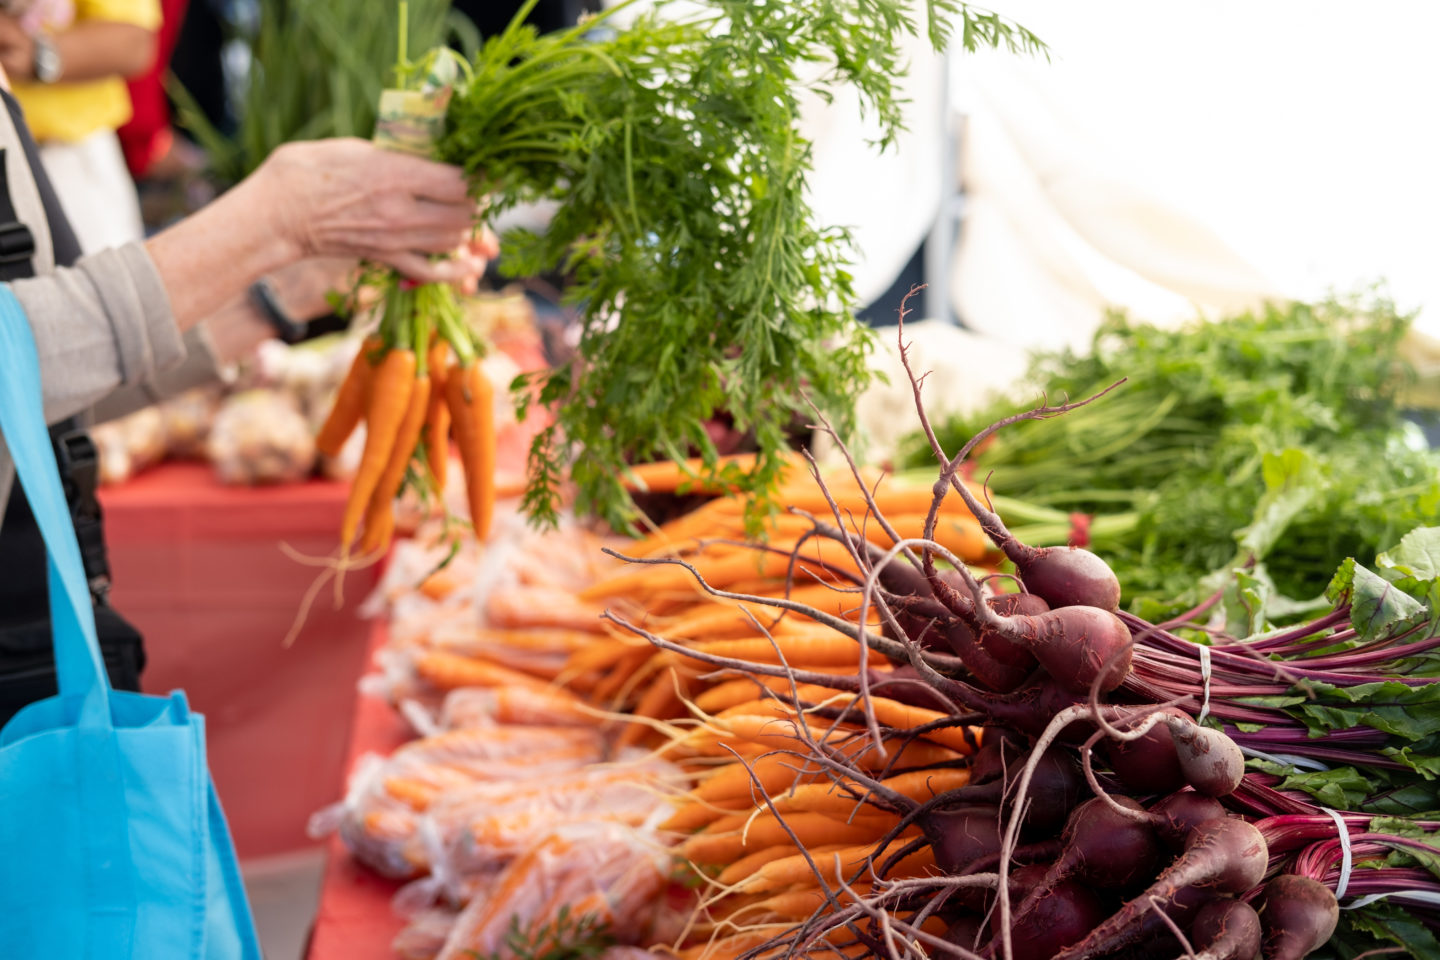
(1110, 811)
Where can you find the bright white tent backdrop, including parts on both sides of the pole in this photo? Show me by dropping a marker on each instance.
(1170, 159)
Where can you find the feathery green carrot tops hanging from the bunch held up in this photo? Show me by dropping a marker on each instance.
(673, 153)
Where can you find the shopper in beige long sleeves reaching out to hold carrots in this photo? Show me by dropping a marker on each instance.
(117, 322)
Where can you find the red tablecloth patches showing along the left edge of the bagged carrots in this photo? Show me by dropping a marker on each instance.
(355, 920)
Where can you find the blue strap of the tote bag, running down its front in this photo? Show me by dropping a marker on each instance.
(80, 669)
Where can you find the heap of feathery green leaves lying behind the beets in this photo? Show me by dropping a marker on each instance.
(1272, 438)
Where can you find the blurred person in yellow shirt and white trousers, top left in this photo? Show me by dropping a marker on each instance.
(68, 63)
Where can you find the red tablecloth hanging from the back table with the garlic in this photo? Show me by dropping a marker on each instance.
(199, 571)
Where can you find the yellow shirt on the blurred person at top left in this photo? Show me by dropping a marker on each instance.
(74, 112)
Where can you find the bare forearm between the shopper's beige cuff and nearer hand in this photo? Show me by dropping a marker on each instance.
(211, 258)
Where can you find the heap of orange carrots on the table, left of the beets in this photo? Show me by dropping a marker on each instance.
(532, 651)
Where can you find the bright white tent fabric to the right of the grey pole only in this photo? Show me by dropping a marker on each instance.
(1215, 150)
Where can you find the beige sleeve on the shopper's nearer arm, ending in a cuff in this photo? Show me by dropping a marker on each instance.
(99, 326)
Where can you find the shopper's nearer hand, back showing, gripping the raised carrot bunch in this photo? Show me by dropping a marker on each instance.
(352, 199)
